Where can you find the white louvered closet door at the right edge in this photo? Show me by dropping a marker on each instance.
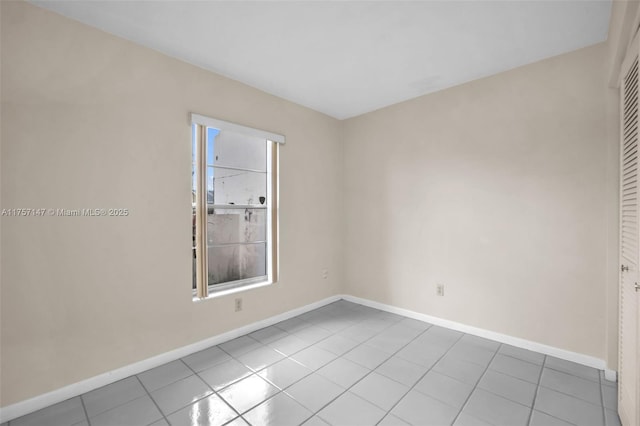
(628, 386)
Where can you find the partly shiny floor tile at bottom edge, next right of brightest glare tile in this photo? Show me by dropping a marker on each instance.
(279, 410)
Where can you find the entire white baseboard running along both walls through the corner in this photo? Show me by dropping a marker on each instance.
(13, 411)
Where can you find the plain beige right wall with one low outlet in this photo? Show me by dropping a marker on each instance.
(496, 189)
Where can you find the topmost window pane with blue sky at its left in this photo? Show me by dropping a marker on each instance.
(239, 151)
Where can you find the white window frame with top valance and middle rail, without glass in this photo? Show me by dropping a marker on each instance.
(203, 290)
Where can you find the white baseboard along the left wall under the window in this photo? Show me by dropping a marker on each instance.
(21, 408)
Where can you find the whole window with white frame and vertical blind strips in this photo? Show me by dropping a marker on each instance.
(234, 205)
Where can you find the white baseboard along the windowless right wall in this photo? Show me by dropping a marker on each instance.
(587, 360)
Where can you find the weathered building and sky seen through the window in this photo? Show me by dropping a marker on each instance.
(237, 168)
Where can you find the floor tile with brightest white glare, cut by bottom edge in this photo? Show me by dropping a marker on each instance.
(211, 410)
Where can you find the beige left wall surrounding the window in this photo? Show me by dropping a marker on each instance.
(90, 120)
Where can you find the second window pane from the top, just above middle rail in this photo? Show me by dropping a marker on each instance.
(228, 186)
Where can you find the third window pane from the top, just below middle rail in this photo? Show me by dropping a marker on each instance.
(226, 226)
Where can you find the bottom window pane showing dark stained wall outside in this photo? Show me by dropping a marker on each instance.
(237, 262)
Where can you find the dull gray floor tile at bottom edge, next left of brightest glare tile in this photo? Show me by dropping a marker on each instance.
(141, 411)
